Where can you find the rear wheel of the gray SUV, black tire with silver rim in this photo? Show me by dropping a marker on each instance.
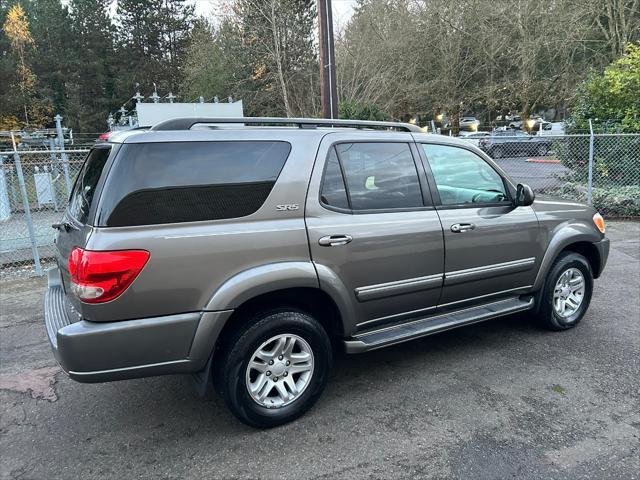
(234, 376)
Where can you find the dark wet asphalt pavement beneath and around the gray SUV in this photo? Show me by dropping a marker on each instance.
(496, 400)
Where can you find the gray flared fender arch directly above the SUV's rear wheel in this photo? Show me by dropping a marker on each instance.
(260, 280)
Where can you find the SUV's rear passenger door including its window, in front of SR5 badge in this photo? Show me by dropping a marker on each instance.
(373, 232)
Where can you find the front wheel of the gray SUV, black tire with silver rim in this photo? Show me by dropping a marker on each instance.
(548, 315)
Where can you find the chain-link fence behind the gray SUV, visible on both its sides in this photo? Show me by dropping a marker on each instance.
(601, 169)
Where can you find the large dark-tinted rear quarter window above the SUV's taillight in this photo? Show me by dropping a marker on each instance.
(155, 183)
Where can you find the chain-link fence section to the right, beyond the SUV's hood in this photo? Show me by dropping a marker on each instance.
(601, 169)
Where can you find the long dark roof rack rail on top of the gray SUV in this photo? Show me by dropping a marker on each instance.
(186, 123)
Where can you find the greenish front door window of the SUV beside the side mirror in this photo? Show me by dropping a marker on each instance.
(463, 177)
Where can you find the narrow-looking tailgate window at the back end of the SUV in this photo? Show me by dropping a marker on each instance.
(85, 187)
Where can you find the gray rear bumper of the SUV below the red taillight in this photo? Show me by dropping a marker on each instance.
(106, 351)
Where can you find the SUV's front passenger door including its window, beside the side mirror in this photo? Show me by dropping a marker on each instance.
(492, 248)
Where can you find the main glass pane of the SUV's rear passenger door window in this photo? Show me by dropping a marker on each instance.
(380, 175)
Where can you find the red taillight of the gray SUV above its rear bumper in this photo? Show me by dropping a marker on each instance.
(98, 277)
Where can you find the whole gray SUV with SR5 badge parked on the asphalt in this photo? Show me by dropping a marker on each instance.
(247, 251)
